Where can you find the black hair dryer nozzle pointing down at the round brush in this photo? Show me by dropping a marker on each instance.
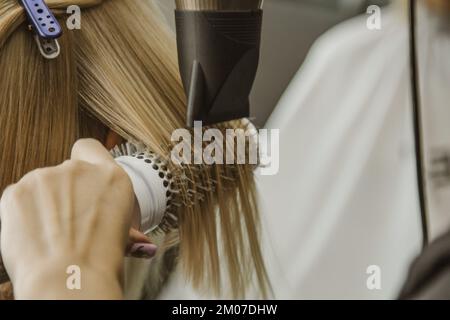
(218, 55)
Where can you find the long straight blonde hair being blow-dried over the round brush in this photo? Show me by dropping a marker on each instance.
(120, 72)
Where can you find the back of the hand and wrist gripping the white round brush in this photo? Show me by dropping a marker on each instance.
(75, 214)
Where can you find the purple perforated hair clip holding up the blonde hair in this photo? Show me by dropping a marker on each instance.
(45, 26)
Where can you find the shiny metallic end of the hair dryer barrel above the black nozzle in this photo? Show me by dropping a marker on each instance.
(203, 5)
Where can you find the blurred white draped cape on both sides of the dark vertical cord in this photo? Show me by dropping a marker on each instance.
(346, 195)
